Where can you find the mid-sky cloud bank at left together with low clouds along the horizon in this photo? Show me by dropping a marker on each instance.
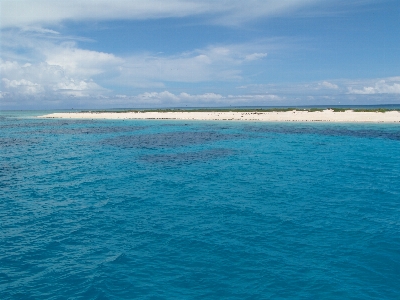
(54, 73)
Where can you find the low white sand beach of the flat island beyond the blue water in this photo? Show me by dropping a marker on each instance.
(287, 116)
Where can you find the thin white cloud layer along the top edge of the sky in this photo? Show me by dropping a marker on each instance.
(38, 12)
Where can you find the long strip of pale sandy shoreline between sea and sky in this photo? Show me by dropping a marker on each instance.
(378, 115)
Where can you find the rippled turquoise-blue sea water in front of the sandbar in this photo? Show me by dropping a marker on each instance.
(195, 210)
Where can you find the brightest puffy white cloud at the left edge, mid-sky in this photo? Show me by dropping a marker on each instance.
(50, 68)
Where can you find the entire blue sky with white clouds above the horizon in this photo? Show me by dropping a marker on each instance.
(208, 53)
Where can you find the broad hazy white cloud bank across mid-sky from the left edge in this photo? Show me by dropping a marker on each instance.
(54, 66)
